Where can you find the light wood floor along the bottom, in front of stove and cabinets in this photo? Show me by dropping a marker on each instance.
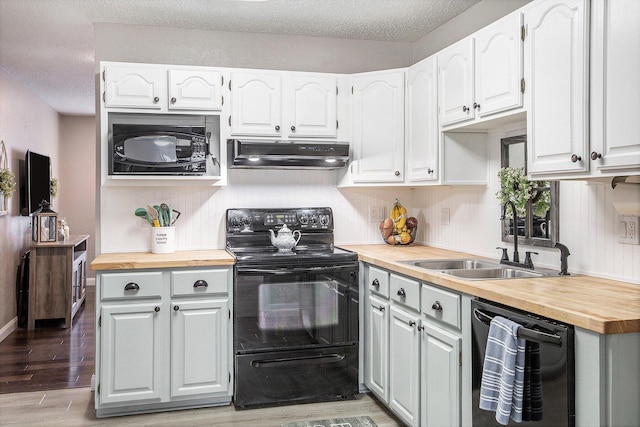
(75, 407)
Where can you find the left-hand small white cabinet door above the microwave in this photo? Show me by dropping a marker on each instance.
(135, 87)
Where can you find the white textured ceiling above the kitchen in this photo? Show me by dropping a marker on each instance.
(47, 45)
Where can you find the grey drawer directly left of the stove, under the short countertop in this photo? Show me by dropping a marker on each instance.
(199, 282)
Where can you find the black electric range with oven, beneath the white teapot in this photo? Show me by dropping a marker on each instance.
(296, 313)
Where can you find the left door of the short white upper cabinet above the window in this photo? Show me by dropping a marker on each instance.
(456, 90)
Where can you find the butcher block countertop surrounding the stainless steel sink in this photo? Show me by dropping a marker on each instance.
(600, 305)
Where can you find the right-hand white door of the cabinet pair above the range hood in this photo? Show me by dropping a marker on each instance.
(311, 106)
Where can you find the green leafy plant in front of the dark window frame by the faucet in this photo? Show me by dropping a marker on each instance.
(515, 187)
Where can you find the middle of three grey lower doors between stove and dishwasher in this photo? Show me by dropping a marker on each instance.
(404, 366)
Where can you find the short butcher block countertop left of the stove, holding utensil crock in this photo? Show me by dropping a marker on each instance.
(137, 260)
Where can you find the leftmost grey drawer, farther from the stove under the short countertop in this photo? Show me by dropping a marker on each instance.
(131, 285)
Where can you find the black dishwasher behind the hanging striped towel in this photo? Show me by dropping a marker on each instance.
(556, 347)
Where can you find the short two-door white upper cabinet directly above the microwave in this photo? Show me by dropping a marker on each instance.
(162, 88)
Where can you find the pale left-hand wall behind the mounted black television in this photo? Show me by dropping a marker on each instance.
(26, 123)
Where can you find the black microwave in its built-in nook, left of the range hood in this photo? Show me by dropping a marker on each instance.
(155, 144)
